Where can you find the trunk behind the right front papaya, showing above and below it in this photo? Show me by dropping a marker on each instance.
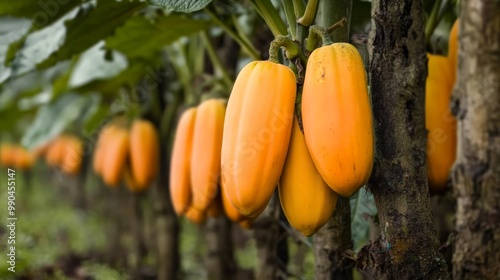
(333, 239)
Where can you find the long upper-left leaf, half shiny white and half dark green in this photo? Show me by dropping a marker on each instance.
(74, 33)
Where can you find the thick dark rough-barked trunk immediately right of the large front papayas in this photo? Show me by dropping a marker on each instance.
(408, 247)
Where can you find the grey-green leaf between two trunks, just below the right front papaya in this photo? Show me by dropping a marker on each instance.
(362, 209)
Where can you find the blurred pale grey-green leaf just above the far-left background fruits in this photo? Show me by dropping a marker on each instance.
(54, 118)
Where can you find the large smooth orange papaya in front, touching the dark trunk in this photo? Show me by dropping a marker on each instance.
(337, 117)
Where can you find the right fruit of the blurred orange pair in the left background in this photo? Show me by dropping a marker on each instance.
(144, 152)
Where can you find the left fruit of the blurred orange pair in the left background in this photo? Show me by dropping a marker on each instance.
(116, 155)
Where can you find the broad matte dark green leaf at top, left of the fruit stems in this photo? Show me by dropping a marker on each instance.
(143, 38)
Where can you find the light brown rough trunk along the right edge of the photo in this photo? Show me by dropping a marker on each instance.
(476, 175)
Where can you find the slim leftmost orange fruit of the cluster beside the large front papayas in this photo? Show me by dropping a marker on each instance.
(180, 164)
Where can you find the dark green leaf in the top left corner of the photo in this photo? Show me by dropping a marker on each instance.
(42, 13)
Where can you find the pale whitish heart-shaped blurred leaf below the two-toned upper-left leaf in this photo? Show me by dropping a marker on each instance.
(93, 65)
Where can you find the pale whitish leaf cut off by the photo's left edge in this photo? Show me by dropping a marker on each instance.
(11, 29)
